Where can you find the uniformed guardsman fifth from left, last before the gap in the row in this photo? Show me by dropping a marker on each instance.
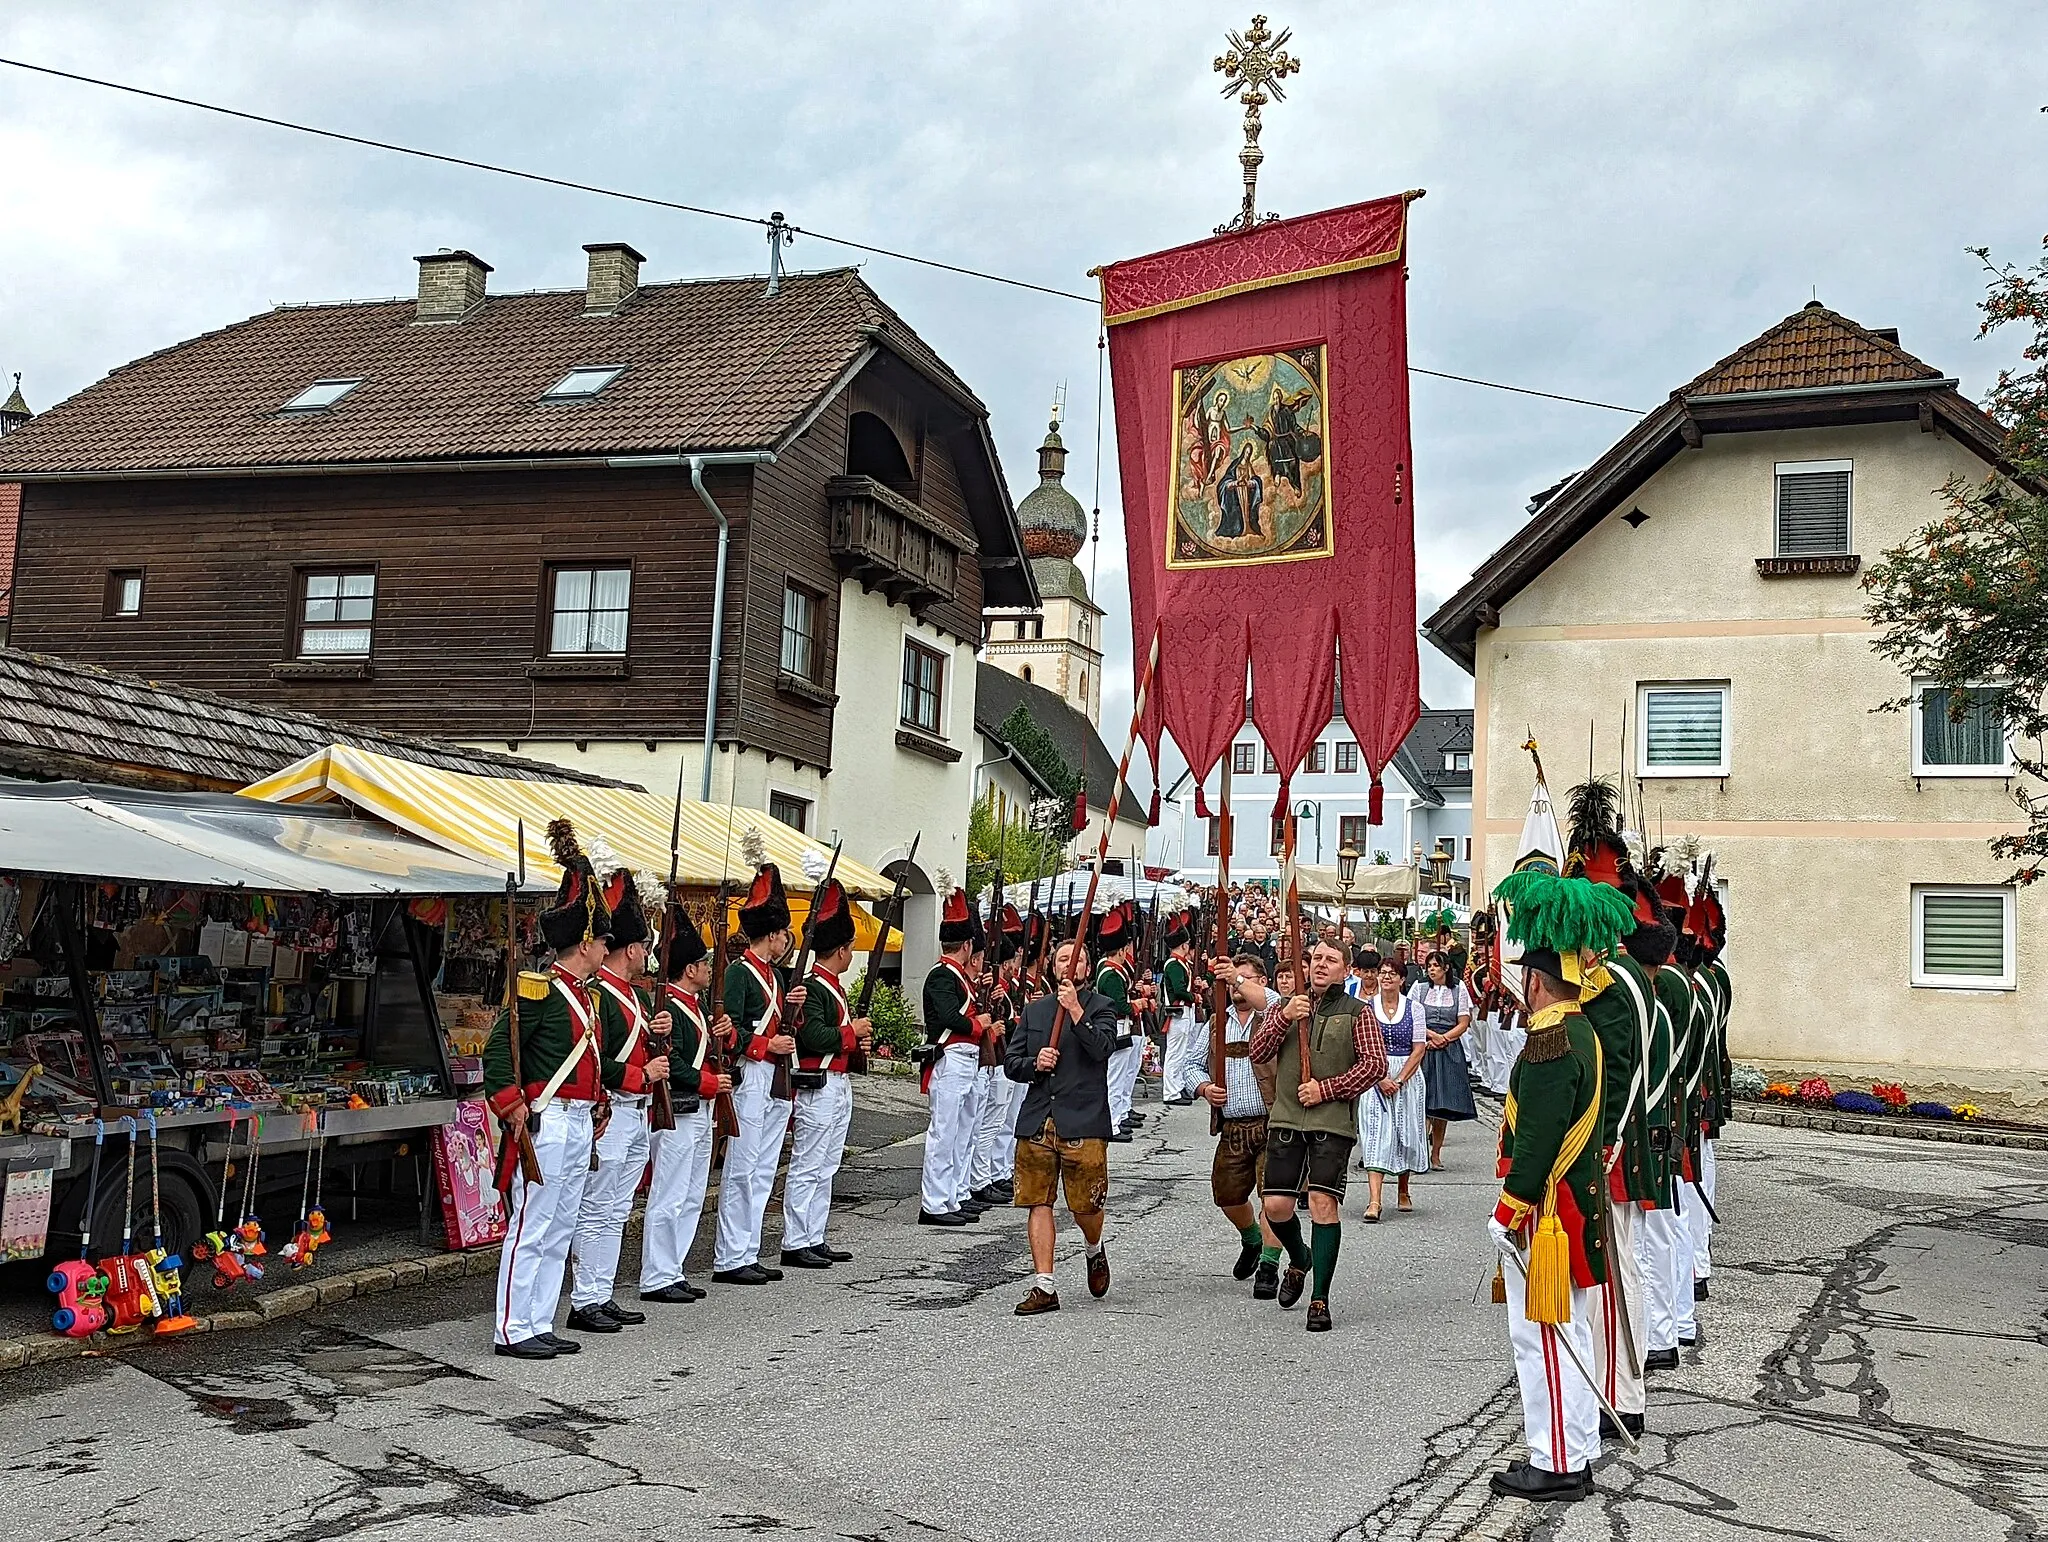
(828, 1037)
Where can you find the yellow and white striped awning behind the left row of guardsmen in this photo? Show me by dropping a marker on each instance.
(480, 818)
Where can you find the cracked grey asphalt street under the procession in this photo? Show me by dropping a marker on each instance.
(1871, 1367)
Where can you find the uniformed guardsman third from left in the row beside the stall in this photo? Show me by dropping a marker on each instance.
(683, 1156)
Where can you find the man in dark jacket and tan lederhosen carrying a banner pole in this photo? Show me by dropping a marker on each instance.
(1064, 1127)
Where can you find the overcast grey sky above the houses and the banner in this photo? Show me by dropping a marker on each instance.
(1619, 194)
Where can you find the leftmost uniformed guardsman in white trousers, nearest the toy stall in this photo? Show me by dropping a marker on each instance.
(556, 1103)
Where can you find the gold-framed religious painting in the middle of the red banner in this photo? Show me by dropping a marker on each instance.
(1248, 460)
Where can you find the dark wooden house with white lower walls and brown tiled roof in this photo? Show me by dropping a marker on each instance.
(499, 519)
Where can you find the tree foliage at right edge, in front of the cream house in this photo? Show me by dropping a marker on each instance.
(1965, 601)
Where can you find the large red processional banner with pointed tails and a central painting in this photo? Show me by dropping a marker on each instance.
(1263, 433)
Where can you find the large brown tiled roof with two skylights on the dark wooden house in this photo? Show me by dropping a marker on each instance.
(710, 366)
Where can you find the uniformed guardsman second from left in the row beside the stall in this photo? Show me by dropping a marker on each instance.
(628, 1027)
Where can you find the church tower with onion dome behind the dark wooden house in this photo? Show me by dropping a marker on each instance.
(1058, 646)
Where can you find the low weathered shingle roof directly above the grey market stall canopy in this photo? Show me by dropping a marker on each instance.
(71, 720)
